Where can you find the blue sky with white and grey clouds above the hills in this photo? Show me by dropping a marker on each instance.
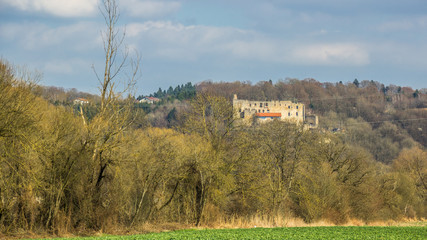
(182, 41)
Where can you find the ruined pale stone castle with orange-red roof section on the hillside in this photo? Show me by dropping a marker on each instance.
(262, 111)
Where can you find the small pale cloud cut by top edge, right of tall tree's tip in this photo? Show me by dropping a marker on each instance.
(149, 9)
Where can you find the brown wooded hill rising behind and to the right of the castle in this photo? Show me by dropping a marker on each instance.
(377, 117)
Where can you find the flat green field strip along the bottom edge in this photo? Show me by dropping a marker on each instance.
(282, 233)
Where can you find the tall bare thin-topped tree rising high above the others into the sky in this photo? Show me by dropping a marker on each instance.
(105, 132)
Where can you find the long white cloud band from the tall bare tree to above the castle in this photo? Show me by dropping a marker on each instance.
(176, 41)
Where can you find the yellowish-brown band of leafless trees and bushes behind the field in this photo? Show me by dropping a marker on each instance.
(61, 171)
